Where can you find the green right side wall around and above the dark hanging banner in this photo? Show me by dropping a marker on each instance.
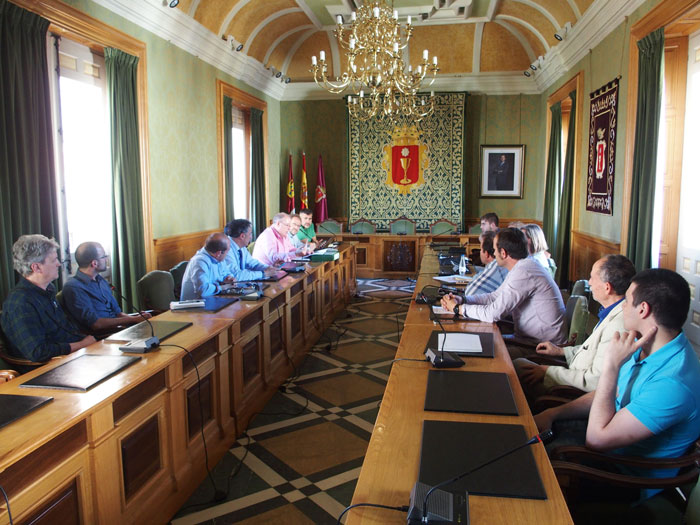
(601, 65)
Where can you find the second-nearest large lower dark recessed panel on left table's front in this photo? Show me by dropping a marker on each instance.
(140, 456)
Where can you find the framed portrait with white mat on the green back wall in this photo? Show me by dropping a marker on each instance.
(502, 171)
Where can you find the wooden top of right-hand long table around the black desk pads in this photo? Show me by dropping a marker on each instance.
(391, 463)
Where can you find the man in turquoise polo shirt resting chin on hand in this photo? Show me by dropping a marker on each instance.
(647, 402)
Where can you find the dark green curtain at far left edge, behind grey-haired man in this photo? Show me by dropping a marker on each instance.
(27, 177)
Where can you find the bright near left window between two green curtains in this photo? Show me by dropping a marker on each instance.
(82, 142)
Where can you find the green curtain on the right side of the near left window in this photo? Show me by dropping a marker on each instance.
(128, 255)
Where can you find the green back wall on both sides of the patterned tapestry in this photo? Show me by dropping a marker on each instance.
(321, 127)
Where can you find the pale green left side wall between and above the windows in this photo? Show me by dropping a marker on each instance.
(182, 131)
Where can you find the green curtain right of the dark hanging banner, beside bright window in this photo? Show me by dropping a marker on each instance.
(646, 139)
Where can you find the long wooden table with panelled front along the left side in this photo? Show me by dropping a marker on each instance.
(130, 450)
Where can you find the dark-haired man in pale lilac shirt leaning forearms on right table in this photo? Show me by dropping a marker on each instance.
(528, 293)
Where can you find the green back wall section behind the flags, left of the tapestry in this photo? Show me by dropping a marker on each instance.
(316, 127)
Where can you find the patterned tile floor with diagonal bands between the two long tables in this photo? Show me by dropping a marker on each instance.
(302, 455)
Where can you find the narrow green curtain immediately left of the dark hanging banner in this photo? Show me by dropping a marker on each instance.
(560, 242)
